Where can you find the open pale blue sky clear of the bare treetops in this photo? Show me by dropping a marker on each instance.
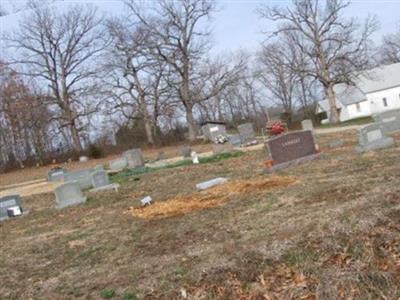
(237, 26)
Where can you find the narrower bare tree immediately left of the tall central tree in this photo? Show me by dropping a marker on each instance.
(130, 66)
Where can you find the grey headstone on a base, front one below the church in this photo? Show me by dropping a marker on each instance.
(372, 137)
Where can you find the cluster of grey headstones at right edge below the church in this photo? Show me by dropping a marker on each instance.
(376, 135)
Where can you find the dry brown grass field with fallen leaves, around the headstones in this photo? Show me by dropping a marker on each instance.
(326, 229)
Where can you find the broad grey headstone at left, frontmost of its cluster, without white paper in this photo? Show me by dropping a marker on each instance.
(69, 194)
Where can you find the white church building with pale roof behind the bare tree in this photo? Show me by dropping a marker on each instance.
(375, 91)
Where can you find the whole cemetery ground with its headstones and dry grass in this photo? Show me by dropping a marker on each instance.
(212, 222)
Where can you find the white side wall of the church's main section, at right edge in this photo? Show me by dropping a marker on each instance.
(392, 97)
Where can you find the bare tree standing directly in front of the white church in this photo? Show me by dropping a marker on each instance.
(337, 49)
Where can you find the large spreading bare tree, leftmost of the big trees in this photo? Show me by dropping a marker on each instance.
(60, 49)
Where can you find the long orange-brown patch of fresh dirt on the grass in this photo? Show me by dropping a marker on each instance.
(213, 197)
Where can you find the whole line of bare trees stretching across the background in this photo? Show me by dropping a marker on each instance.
(72, 72)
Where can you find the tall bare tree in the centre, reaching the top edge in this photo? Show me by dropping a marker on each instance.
(181, 44)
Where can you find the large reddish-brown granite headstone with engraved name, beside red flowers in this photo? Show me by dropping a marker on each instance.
(291, 148)
